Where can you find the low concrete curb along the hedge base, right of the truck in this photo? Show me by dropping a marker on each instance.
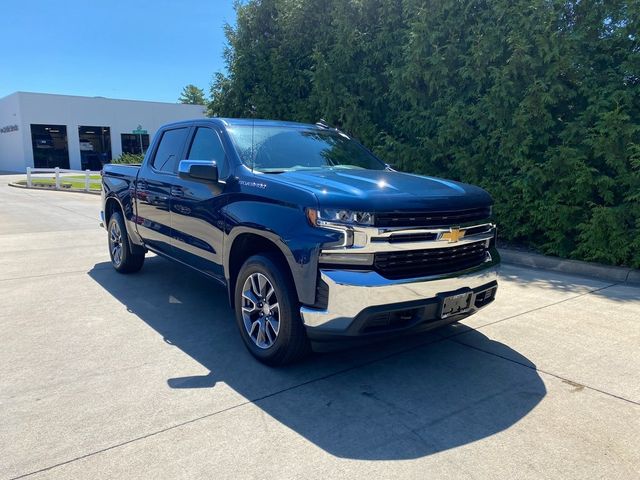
(575, 267)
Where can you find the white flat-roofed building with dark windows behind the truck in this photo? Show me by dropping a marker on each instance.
(45, 131)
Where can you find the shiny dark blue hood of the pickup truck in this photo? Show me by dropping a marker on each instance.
(384, 190)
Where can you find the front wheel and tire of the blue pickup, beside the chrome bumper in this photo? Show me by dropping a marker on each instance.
(267, 312)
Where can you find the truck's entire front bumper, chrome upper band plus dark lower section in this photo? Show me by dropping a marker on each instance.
(364, 302)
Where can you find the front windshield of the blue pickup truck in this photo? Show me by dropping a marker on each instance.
(281, 149)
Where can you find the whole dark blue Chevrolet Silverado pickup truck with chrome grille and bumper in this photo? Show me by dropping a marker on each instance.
(313, 236)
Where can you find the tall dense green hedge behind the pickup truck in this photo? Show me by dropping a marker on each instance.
(538, 101)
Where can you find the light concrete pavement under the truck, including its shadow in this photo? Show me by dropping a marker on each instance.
(145, 376)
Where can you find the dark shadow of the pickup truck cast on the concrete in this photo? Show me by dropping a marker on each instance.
(405, 398)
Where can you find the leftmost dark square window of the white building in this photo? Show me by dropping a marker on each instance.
(50, 148)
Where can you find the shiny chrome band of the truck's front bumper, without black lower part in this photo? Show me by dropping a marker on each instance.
(351, 292)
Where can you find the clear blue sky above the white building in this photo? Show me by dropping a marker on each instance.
(144, 49)
